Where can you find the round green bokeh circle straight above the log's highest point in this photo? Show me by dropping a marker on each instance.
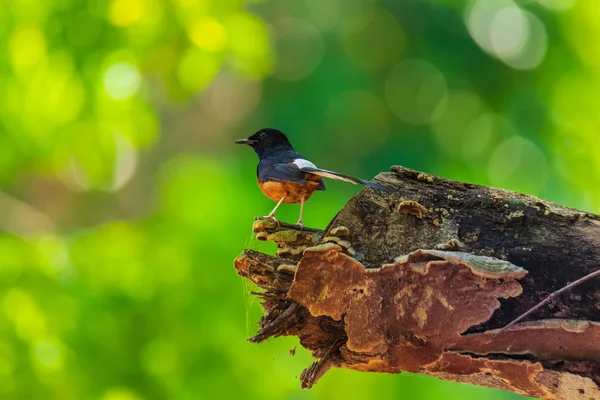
(416, 91)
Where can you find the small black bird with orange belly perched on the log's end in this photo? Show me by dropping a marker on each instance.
(286, 176)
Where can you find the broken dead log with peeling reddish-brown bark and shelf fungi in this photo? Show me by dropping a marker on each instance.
(422, 277)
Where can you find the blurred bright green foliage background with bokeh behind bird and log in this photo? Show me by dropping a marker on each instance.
(123, 200)
